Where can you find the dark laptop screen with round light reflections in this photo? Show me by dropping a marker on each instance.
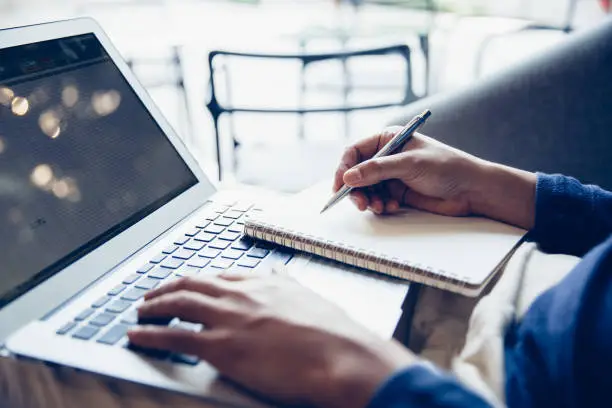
(81, 158)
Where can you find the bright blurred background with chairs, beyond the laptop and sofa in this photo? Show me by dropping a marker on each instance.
(269, 92)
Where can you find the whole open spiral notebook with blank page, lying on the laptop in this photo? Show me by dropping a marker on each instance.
(458, 254)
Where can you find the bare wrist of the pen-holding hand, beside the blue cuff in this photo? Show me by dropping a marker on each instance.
(504, 193)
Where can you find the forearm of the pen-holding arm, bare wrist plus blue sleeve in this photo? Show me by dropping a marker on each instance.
(562, 215)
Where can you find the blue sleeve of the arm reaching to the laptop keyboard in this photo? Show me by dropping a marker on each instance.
(420, 386)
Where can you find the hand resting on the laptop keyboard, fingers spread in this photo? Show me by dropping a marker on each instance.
(274, 336)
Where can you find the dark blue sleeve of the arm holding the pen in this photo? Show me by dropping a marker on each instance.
(571, 218)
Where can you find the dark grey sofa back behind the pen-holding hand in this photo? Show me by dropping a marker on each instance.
(551, 114)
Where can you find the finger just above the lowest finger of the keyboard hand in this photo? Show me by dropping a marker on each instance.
(188, 306)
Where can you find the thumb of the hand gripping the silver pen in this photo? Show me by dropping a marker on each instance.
(379, 169)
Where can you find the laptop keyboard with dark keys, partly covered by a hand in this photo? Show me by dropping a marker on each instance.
(212, 245)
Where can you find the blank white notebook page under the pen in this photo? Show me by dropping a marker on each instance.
(467, 248)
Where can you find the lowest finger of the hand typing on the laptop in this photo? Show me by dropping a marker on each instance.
(172, 339)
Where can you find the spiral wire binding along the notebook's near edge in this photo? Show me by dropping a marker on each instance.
(358, 257)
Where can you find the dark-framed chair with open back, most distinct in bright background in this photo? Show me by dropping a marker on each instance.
(218, 108)
